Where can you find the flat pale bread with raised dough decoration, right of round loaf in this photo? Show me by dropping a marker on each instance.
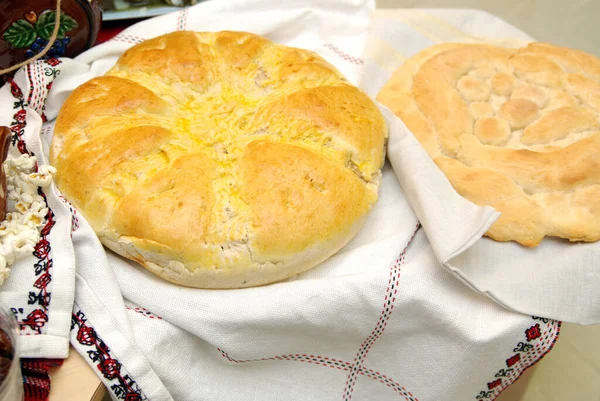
(523, 138)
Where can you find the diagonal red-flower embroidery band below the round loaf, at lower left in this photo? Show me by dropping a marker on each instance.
(124, 388)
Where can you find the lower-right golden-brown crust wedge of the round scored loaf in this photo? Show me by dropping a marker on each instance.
(315, 189)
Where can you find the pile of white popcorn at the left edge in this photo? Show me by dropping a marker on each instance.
(21, 229)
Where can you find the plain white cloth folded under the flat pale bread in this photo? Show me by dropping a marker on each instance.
(556, 279)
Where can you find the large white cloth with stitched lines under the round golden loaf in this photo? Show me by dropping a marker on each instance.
(379, 320)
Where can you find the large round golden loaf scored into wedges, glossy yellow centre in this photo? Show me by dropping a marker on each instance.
(220, 160)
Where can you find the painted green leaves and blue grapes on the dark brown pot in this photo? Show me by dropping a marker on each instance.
(33, 33)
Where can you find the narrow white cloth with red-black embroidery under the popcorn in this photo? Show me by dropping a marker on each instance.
(40, 288)
